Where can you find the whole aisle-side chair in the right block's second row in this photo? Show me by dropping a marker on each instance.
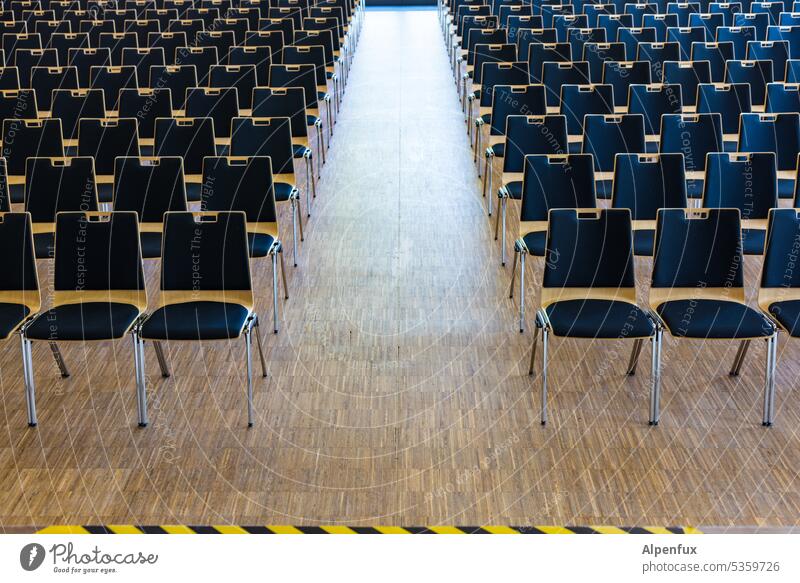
(549, 182)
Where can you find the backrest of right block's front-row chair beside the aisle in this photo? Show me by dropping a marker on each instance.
(594, 248)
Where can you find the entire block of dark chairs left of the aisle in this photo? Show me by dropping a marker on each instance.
(192, 182)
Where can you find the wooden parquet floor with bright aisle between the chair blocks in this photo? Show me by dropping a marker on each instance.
(397, 389)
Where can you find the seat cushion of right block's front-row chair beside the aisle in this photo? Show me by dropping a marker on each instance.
(599, 319)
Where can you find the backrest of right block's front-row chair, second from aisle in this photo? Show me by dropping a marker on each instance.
(698, 253)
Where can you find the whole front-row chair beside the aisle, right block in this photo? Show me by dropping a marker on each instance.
(591, 292)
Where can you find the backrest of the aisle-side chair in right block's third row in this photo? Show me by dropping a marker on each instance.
(525, 135)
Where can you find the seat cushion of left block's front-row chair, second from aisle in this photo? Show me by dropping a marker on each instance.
(87, 321)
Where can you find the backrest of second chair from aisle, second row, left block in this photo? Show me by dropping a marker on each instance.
(149, 187)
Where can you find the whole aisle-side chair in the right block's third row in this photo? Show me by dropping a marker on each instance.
(525, 135)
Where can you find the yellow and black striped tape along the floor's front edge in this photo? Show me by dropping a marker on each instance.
(285, 529)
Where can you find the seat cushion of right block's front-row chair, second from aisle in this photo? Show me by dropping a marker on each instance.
(714, 319)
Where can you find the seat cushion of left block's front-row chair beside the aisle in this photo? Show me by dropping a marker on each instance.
(196, 321)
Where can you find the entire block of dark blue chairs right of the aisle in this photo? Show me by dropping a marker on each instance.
(652, 156)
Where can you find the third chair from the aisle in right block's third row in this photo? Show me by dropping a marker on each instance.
(694, 136)
